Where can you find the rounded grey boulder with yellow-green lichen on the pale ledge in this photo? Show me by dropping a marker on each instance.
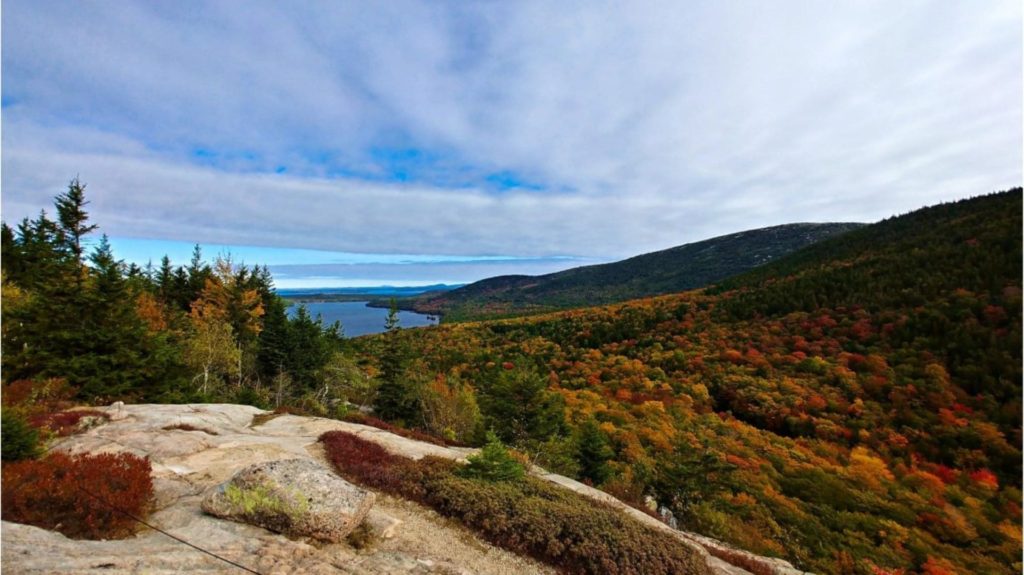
(292, 497)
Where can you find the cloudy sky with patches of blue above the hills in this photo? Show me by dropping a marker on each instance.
(405, 143)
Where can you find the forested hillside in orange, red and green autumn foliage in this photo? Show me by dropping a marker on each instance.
(855, 408)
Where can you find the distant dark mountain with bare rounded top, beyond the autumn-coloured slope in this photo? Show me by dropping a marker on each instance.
(676, 270)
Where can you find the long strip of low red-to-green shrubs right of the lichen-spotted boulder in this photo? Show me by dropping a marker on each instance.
(531, 517)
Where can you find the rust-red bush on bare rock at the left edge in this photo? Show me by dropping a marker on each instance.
(78, 496)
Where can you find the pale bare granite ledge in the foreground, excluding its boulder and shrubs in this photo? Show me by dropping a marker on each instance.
(196, 451)
